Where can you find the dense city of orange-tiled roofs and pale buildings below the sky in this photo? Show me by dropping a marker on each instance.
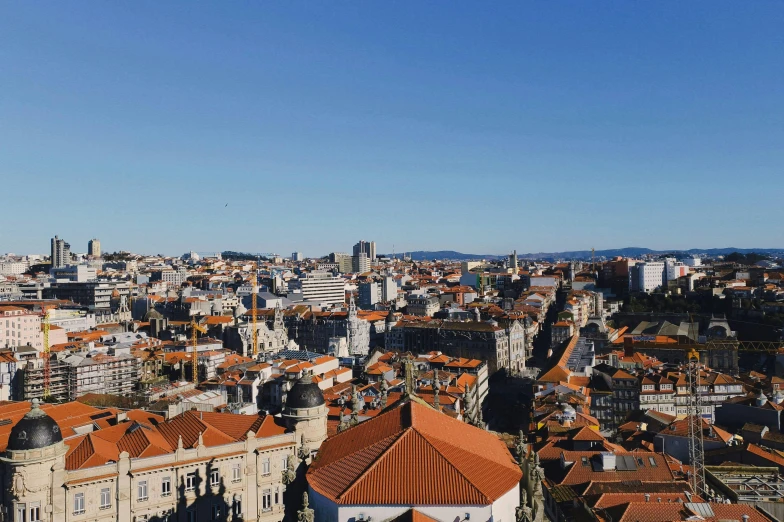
(529, 389)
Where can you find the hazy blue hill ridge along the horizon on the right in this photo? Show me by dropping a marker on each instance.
(425, 255)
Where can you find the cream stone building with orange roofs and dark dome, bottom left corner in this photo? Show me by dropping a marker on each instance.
(134, 467)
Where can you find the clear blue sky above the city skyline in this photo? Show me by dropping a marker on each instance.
(472, 126)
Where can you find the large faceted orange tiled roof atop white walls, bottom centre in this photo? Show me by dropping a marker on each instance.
(412, 454)
